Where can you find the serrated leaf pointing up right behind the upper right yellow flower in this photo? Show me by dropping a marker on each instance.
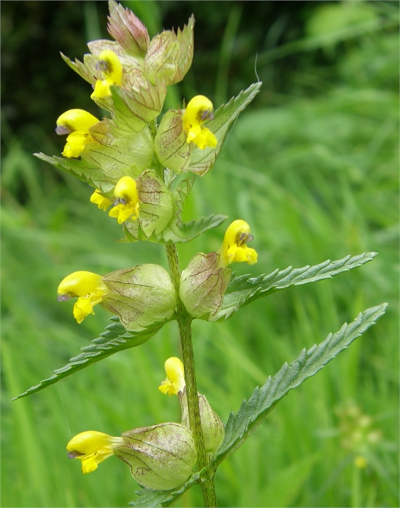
(201, 161)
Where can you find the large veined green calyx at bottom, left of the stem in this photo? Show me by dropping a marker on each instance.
(161, 457)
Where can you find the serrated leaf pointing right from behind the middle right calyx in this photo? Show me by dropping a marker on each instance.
(245, 289)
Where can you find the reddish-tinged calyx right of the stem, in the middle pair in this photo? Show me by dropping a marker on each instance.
(203, 284)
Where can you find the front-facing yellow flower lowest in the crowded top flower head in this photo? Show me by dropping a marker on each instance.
(127, 203)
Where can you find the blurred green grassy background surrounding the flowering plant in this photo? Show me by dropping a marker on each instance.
(312, 165)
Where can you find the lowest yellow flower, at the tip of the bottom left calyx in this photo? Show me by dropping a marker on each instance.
(91, 448)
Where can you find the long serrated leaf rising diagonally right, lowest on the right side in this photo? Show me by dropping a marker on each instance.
(307, 364)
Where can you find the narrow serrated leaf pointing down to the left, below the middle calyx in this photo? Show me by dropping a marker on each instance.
(114, 339)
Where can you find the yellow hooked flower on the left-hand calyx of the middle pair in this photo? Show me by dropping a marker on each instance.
(88, 287)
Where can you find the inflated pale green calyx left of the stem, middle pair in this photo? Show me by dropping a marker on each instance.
(140, 296)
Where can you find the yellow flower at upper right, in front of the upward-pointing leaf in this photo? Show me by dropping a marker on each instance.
(197, 111)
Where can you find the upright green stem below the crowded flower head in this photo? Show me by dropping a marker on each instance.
(185, 330)
